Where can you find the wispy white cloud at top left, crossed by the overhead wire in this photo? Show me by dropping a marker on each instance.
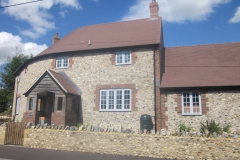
(36, 14)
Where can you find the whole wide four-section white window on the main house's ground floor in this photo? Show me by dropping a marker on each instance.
(115, 100)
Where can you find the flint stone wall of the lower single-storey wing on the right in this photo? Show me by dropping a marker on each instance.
(223, 107)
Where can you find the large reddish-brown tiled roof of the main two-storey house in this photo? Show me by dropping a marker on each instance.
(110, 35)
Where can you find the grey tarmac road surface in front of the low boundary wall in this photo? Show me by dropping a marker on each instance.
(21, 153)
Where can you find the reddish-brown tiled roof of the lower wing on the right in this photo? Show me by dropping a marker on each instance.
(202, 66)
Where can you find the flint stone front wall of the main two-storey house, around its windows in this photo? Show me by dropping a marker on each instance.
(92, 69)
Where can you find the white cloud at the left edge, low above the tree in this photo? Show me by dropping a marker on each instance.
(9, 43)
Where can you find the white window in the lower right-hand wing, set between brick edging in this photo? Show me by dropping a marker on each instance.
(191, 103)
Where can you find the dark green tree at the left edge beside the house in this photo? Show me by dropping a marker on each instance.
(7, 75)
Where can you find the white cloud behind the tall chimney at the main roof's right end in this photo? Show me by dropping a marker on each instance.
(175, 10)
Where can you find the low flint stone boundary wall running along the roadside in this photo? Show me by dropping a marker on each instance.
(134, 144)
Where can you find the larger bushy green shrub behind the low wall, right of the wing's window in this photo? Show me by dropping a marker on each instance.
(211, 127)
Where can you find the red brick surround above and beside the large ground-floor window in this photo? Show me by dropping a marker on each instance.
(115, 86)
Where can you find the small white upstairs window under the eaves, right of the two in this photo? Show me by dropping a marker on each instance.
(123, 57)
